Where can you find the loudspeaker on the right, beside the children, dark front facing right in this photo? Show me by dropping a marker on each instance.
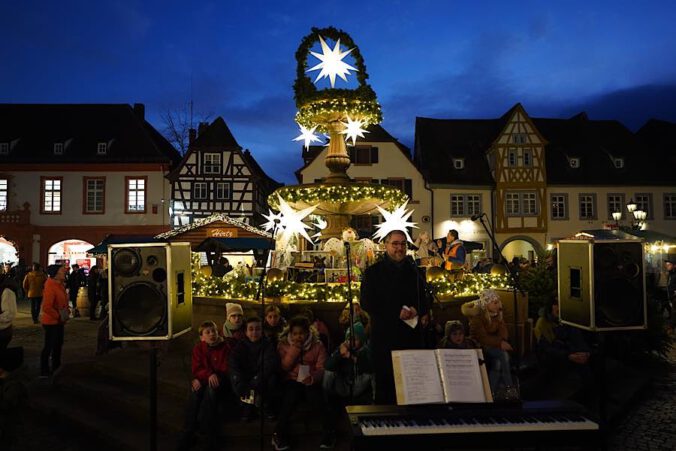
(602, 284)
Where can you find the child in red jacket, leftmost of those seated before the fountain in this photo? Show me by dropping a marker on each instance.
(208, 386)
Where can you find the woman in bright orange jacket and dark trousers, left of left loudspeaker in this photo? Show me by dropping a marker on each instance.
(54, 315)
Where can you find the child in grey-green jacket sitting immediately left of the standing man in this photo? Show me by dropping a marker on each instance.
(341, 385)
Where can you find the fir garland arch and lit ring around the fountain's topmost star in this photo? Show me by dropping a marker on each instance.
(315, 106)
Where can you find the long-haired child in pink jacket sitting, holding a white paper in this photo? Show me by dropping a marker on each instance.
(302, 357)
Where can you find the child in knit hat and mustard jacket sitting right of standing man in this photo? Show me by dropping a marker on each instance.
(487, 327)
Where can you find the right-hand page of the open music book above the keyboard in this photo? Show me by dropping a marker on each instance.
(461, 375)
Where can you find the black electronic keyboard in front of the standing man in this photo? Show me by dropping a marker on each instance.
(559, 424)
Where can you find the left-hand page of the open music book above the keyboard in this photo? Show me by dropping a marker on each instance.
(416, 377)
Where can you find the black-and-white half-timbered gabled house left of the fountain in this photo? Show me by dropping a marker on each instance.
(217, 175)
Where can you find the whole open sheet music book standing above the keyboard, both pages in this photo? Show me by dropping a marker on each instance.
(438, 376)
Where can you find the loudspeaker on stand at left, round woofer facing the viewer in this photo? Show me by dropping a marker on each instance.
(150, 286)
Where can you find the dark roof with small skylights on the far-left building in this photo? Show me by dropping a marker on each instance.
(33, 129)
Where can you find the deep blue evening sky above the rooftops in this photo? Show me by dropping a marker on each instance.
(445, 59)
